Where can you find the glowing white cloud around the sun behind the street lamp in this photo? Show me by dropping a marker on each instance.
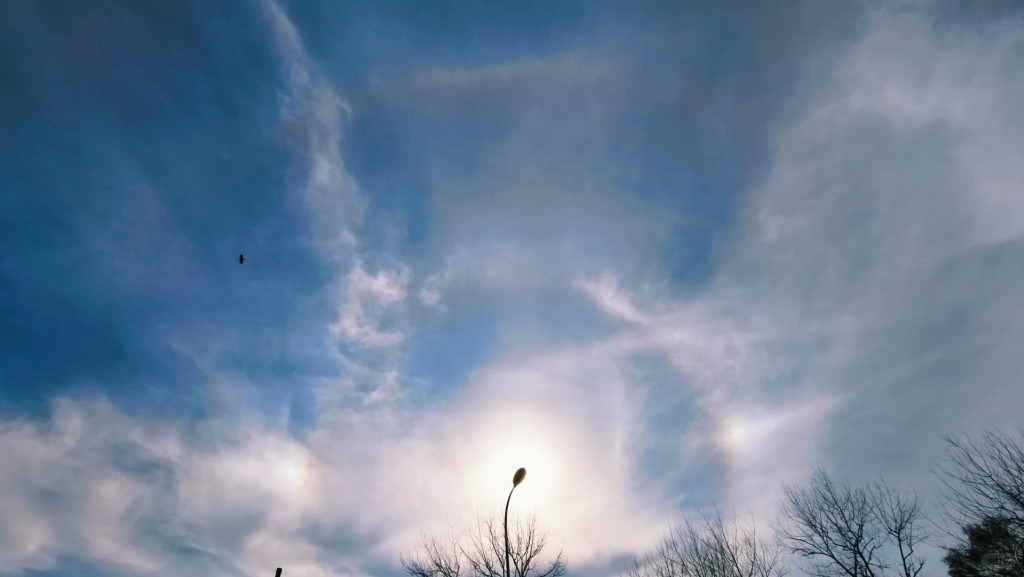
(569, 420)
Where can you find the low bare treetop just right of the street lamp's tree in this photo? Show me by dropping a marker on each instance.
(710, 549)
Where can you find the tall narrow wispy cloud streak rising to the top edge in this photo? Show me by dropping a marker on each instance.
(370, 304)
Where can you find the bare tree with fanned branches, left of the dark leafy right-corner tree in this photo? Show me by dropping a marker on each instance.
(846, 530)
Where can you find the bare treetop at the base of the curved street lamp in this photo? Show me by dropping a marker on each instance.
(483, 554)
